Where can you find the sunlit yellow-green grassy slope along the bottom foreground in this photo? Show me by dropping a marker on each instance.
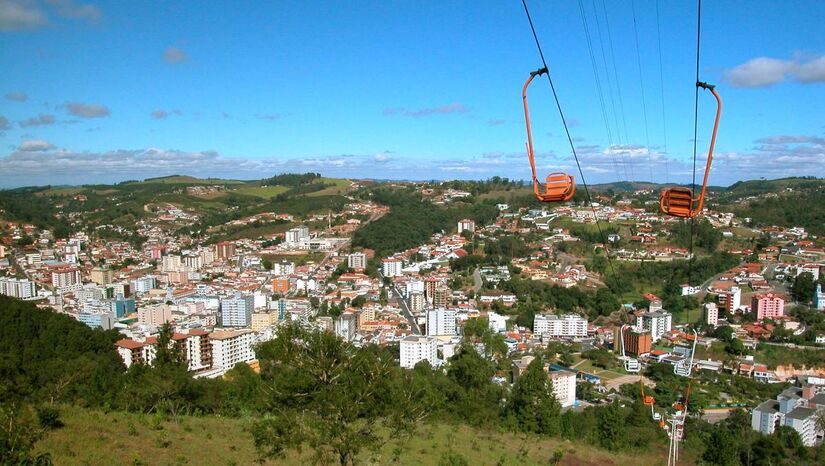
(94, 437)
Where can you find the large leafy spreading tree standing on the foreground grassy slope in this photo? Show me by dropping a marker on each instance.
(329, 395)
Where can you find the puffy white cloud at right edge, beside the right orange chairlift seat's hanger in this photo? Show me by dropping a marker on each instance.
(765, 71)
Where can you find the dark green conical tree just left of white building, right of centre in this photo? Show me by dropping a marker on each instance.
(532, 402)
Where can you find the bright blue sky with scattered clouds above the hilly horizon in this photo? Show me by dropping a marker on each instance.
(107, 91)
